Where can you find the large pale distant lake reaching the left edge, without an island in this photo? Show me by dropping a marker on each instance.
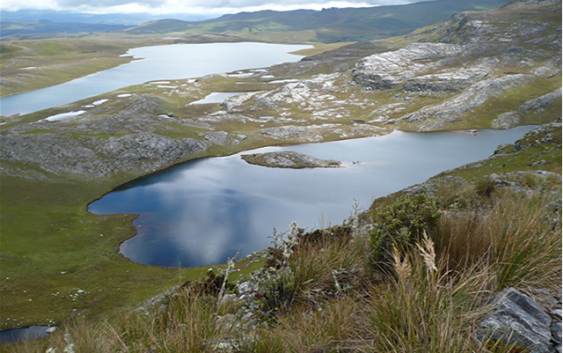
(159, 63)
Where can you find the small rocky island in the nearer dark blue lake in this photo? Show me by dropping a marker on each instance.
(289, 159)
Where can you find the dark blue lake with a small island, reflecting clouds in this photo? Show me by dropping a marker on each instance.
(202, 212)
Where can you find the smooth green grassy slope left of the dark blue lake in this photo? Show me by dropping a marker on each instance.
(59, 249)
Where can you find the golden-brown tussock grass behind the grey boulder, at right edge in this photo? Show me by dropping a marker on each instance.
(514, 234)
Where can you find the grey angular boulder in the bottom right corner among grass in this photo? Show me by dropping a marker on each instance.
(517, 319)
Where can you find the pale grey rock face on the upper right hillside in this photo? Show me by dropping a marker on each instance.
(465, 65)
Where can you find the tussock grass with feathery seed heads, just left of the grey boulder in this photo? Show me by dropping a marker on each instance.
(425, 308)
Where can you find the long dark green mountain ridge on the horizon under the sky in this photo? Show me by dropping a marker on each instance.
(328, 25)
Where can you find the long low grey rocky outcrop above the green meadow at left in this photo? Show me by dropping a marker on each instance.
(90, 157)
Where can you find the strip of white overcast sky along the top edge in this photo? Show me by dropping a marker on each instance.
(158, 7)
